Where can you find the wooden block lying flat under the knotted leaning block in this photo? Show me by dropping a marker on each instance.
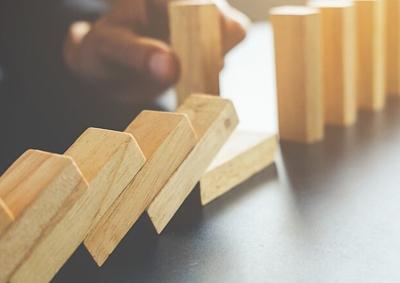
(245, 154)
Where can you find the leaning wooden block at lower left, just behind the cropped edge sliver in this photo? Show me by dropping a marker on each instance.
(39, 189)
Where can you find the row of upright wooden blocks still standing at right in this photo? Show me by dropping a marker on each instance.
(333, 58)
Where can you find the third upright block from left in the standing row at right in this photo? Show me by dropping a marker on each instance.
(370, 27)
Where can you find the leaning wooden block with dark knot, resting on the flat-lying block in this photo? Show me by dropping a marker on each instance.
(213, 119)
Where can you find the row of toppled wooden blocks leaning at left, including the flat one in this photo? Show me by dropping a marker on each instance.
(96, 191)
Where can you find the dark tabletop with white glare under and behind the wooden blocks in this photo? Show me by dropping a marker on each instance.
(326, 212)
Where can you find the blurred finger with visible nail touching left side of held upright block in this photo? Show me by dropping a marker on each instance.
(145, 55)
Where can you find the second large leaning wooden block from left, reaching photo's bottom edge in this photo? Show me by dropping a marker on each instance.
(108, 160)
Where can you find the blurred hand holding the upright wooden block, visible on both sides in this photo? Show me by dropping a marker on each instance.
(126, 54)
